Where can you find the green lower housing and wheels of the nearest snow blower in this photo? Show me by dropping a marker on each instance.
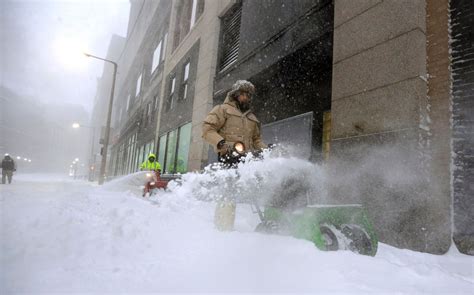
(329, 227)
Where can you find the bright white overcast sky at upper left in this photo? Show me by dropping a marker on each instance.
(41, 42)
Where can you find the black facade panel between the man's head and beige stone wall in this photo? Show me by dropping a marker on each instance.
(297, 84)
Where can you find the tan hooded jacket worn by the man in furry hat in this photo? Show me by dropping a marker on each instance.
(227, 122)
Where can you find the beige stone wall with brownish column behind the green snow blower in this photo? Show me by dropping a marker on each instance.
(382, 123)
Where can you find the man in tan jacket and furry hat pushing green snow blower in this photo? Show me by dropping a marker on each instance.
(229, 126)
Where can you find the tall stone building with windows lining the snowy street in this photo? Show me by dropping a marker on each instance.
(378, 91)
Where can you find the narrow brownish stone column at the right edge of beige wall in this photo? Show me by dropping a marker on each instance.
(439, 99)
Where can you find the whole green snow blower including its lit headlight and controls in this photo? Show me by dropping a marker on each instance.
(329, 227)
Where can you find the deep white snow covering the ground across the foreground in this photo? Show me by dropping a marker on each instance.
(60, 235)
